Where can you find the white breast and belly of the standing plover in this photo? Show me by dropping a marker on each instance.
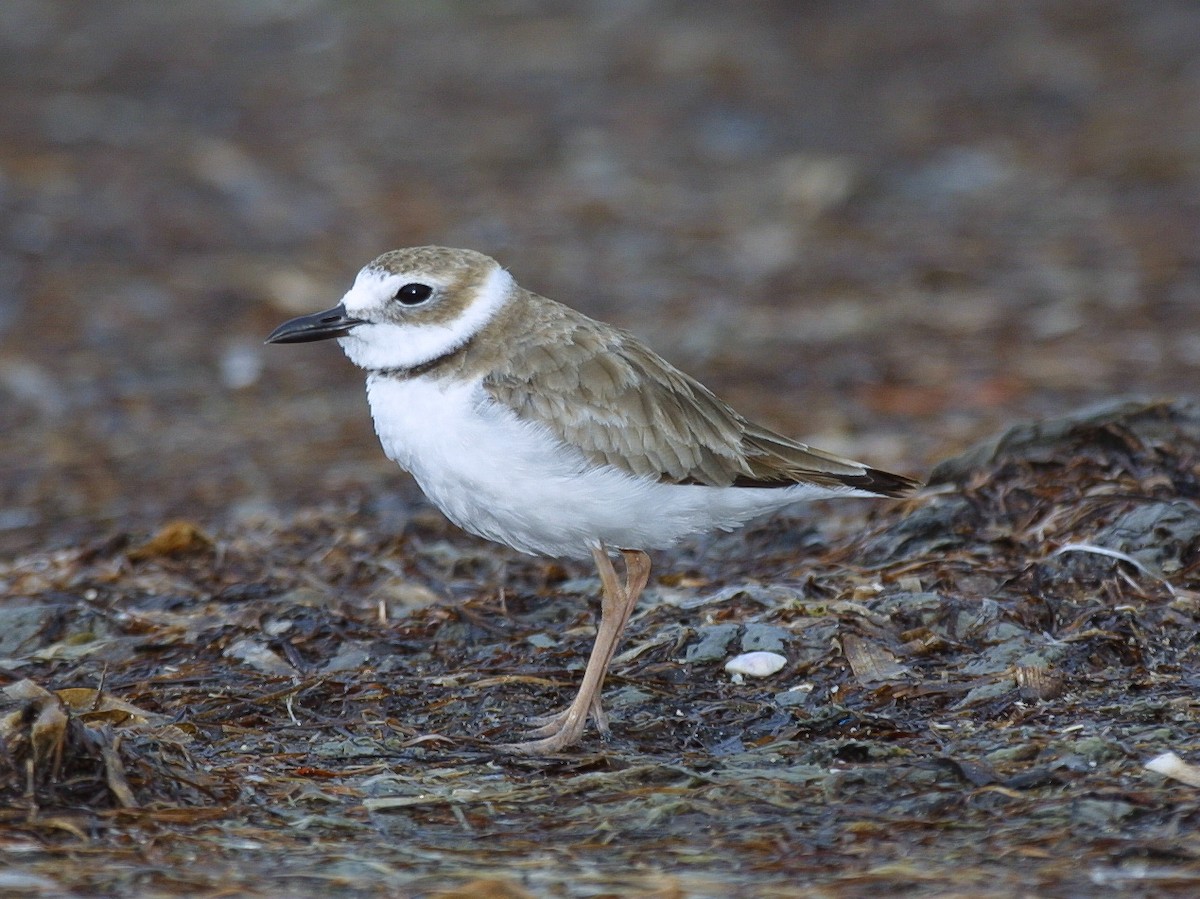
(514, 483)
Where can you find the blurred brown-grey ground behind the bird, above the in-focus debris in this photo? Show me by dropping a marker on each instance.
(890, 230)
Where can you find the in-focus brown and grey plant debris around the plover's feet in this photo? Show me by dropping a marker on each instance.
(951, 679)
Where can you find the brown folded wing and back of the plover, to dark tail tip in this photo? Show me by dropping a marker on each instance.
(602, 391)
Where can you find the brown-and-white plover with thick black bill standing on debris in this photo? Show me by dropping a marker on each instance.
(533, 425)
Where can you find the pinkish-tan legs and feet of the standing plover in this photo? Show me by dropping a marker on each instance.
(617, 603)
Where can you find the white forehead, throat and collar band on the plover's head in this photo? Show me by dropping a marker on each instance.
(391, 345)
